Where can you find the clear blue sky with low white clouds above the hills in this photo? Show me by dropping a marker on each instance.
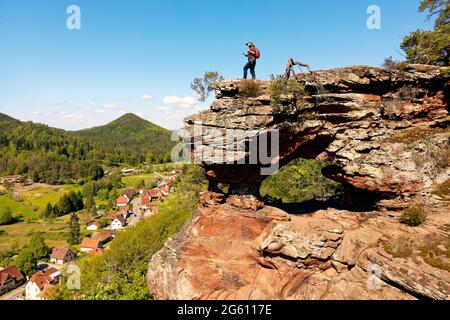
(140, 56)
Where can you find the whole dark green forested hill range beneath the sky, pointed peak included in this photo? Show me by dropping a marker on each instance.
(52, 155)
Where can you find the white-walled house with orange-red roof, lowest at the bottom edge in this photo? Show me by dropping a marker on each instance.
(39, 281)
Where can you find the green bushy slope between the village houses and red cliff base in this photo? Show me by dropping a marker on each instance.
(120, 273)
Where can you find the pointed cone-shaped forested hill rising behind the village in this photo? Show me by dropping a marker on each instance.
(130, 139)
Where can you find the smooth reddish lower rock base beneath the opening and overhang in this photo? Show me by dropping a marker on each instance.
(229, 252)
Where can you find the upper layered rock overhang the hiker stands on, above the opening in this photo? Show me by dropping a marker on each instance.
(383, 130)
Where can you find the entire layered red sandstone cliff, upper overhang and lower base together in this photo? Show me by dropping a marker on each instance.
(386, 134)
